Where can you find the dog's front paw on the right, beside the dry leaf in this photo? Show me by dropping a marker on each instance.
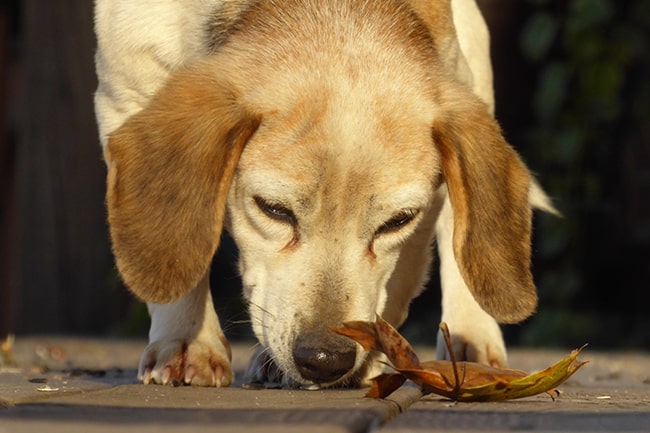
(474, 340)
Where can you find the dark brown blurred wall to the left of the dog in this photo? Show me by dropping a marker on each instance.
(57, 268)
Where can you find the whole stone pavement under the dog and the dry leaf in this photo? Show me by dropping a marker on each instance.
(74, 385)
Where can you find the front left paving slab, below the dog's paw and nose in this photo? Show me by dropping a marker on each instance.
(154, 408)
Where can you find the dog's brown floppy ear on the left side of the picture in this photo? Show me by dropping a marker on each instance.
(170, 168)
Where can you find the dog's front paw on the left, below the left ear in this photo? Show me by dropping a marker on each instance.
(190, 362)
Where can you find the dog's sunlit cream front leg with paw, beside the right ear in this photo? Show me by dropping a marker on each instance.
(475, 335)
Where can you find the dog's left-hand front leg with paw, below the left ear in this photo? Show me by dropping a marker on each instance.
(186, 343)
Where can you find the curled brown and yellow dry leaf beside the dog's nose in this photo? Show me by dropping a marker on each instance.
(459, 381)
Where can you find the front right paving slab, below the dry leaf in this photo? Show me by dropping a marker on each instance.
(577, 410)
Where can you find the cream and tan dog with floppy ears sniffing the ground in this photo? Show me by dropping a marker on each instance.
(337, 141)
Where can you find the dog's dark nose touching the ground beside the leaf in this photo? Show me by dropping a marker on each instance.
(321, 365)
